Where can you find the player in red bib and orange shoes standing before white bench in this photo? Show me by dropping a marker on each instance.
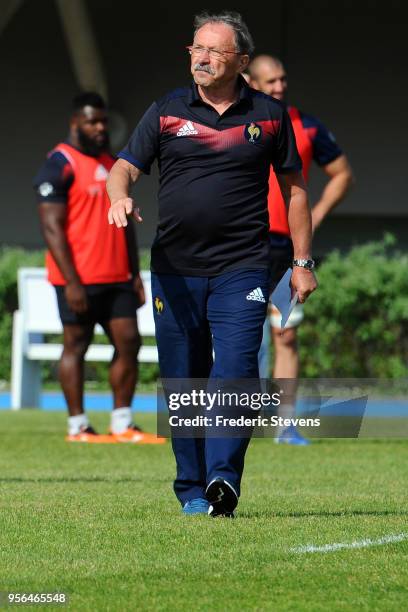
(93, 267)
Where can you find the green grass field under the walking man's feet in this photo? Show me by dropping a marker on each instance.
(102, 524)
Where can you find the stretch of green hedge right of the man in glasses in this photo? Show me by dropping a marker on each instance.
(356, 324)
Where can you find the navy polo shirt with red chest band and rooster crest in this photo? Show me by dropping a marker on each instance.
(214, 171)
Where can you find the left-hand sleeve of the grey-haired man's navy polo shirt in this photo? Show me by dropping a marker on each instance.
(143, 146)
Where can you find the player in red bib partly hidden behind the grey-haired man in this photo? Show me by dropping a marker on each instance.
(314, 143)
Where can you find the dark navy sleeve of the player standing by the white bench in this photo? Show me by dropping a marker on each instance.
(54, 179)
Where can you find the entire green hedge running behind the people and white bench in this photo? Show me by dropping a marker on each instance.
(356, 324)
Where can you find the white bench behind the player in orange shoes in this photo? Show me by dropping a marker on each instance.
(38, 316)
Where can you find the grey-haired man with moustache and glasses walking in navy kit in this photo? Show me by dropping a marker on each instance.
(214, 142)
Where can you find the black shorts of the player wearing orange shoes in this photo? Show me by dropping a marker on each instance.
(106, 301)
